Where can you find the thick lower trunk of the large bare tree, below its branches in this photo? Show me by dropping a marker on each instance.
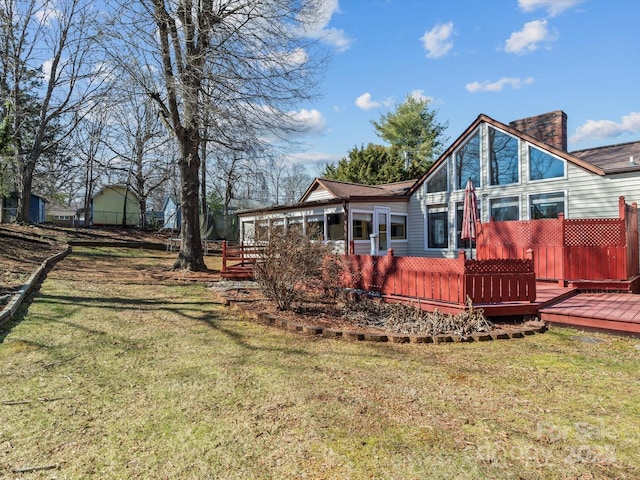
(191, 253)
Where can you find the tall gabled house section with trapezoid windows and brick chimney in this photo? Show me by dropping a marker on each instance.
(521, 171)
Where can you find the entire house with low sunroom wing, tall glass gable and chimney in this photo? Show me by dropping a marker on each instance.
(520, 171)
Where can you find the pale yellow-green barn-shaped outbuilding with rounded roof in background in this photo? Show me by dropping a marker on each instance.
(108, 206)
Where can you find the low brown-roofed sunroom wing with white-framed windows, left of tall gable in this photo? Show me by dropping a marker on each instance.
(346, 215)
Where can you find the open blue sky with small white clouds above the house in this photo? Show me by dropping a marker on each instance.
(508, 59)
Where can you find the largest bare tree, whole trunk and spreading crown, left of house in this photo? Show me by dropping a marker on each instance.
(244, 61)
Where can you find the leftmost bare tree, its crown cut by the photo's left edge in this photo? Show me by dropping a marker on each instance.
(49, 74)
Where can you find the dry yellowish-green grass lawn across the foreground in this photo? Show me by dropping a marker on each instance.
(118, 370)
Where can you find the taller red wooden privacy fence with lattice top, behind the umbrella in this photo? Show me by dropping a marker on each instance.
(568, 249)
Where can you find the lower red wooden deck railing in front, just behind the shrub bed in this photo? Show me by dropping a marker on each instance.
(442, 279)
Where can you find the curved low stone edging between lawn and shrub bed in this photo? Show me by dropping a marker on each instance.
(265, 318)
